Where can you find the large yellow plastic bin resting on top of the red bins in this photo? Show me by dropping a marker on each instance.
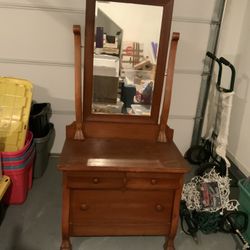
(15, 104)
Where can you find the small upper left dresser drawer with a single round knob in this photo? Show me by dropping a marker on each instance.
(96, 180)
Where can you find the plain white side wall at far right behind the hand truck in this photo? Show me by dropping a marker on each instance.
(234, 45)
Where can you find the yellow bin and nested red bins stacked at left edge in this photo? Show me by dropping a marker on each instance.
(16, 147)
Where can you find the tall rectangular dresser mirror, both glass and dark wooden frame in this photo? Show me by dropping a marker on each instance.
(125, 62)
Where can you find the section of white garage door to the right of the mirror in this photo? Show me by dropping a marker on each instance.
(192, 19)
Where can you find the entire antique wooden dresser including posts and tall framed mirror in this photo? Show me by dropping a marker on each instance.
(122, 172)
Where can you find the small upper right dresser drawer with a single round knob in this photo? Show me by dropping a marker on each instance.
(152, 181)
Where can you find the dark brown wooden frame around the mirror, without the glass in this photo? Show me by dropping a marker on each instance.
(88, 116)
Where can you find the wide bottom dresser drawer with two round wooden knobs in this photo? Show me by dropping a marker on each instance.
(121, 207)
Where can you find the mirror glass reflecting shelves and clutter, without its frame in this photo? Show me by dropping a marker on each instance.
(125, 56)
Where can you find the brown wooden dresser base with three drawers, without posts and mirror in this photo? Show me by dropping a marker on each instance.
(121, 187)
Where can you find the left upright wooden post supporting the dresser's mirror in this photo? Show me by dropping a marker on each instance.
(78, 80)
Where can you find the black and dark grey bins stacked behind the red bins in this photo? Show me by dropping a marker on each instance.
(44, 134)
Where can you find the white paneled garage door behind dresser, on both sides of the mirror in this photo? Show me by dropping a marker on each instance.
(37, 44)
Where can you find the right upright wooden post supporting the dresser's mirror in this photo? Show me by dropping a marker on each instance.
(163, 134)
